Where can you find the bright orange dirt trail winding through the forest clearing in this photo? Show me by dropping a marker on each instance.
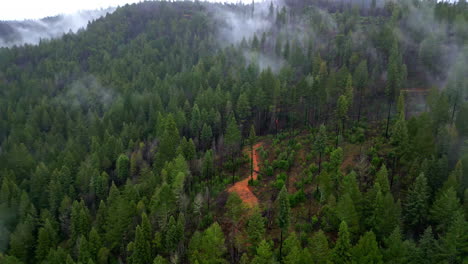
(242, 187)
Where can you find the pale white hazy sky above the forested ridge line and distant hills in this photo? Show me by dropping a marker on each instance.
(28, 9)
